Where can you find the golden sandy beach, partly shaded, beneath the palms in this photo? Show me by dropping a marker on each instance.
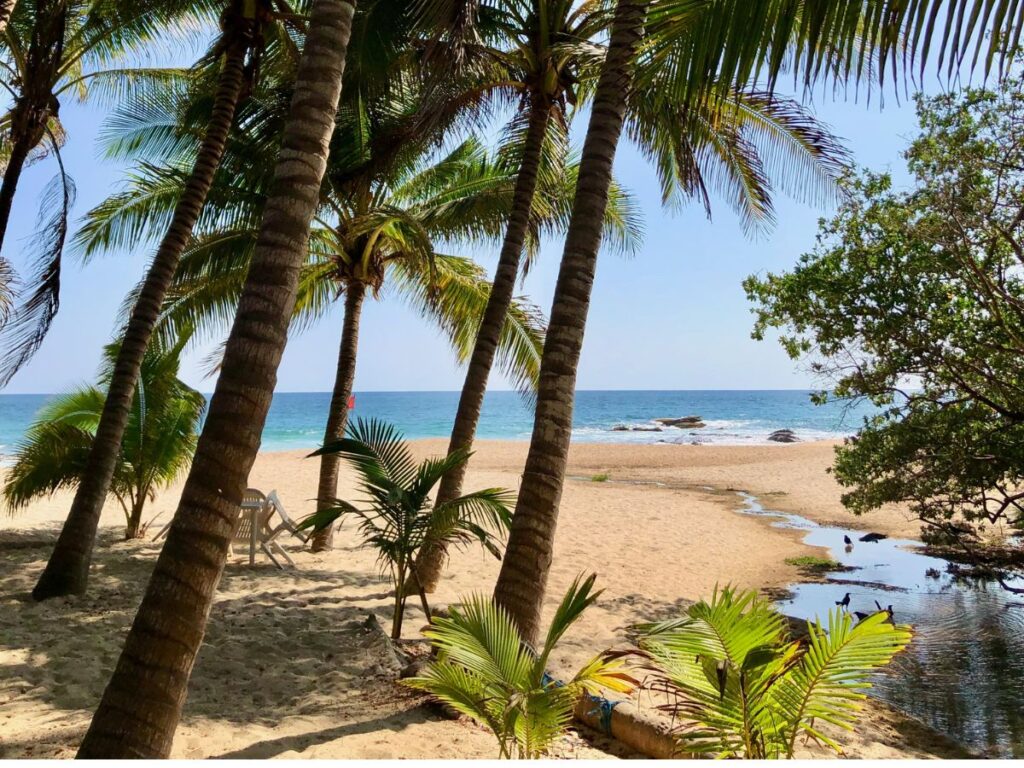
(288, 670)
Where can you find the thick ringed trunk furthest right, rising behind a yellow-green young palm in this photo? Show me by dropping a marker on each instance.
(528, 559)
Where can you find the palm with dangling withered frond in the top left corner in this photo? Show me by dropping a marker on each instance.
(53, 51)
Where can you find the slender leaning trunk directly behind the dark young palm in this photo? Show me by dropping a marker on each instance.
(472, 401)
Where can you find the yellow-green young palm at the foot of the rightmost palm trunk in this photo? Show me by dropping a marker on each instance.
(485, 671)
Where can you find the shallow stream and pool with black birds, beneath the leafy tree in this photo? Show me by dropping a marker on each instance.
(964, 673)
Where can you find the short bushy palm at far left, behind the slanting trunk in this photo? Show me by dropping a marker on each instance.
(160, 439)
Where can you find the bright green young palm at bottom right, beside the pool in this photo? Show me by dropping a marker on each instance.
(743, 689)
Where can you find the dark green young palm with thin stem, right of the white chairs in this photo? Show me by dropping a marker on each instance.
(398, 519)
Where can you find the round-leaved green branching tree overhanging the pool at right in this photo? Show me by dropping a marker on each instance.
(915, 300)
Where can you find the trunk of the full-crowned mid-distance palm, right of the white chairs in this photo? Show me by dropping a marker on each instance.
(338, 416)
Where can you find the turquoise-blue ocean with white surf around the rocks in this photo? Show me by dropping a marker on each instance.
(732, 417)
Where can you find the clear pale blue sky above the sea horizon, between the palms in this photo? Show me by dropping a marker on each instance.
(674, 317)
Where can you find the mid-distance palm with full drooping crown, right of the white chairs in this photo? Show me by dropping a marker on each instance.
(374, 238)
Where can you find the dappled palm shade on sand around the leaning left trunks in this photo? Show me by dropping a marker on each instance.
(278, 645)
